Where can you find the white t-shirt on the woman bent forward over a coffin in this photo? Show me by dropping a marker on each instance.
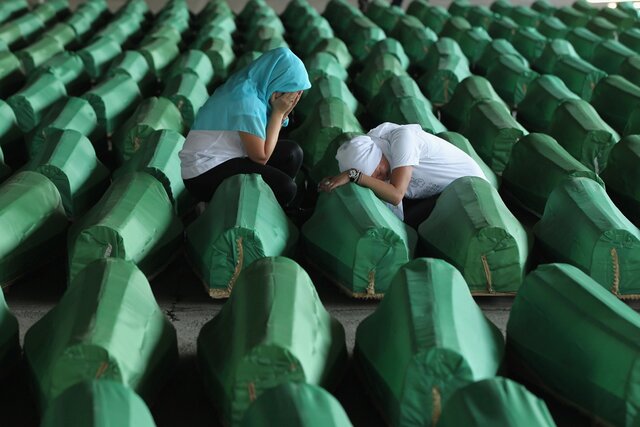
(436, 162)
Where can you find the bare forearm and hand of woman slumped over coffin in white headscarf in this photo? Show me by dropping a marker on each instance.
(391, 192)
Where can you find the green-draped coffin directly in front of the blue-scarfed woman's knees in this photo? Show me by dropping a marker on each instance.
(242, 223)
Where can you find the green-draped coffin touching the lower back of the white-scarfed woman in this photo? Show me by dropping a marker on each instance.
(492, 131)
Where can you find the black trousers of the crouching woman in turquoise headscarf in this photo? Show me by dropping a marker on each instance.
(278, 173)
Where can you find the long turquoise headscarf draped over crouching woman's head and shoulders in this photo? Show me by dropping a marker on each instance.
(242, 102)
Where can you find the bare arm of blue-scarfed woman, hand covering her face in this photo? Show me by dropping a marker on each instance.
(259, 150)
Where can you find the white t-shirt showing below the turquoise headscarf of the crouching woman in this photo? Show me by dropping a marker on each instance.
(205, 149)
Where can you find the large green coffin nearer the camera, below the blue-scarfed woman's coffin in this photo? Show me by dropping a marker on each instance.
(272, 330)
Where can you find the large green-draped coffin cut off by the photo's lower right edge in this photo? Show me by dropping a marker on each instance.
(575, 339)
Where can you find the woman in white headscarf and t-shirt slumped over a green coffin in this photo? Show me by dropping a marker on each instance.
(401, 163)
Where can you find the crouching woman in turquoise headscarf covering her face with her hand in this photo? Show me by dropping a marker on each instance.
(236, 131)
